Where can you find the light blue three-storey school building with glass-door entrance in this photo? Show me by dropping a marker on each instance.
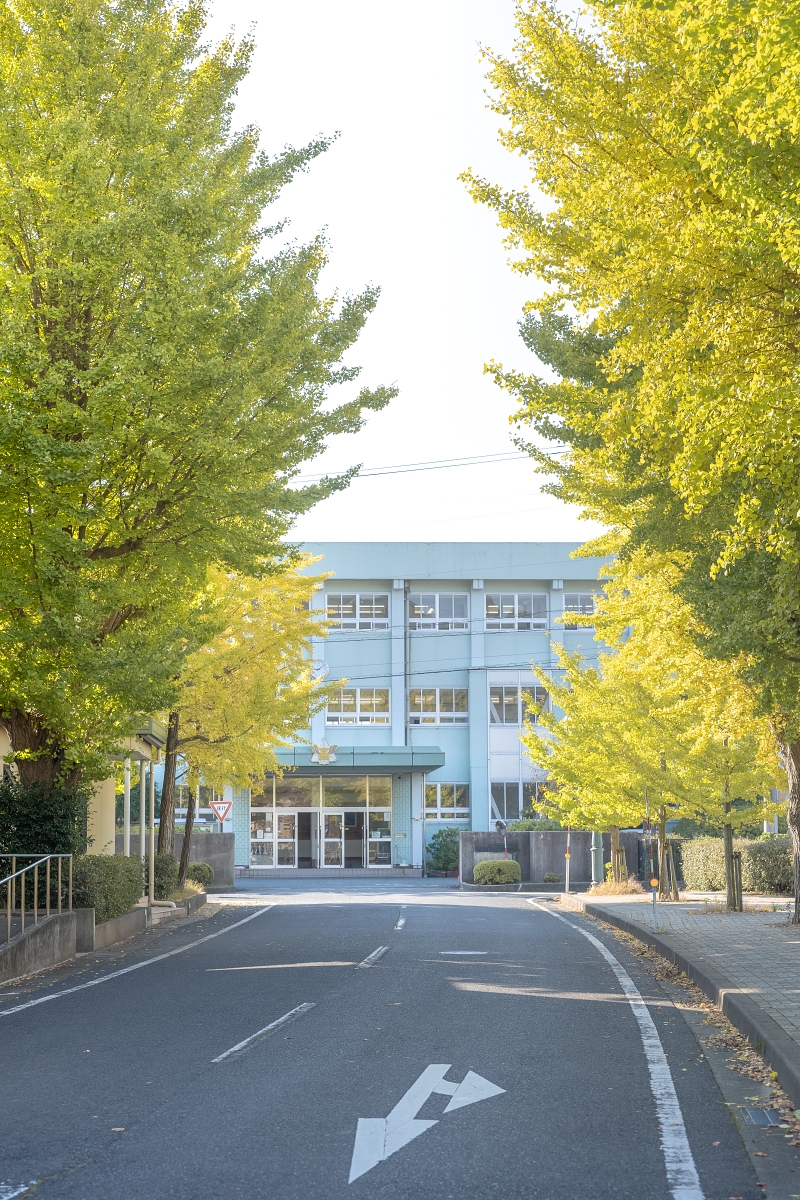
(434, 645)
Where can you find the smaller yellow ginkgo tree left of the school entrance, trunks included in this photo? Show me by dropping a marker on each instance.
(250, 691)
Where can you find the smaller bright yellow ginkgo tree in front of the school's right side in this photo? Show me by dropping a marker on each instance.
(655, 719)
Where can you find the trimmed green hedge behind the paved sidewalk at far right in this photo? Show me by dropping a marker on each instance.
(767, 867)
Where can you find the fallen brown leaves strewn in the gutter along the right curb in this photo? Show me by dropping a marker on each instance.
(745, 1060)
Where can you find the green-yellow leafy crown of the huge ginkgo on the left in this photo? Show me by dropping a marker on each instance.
(163, 379)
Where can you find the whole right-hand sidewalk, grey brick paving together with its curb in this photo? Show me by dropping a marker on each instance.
(747, 963)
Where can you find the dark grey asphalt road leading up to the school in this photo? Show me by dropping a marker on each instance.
(112, 1090)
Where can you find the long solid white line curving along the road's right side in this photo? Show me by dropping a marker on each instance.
(683, 1180)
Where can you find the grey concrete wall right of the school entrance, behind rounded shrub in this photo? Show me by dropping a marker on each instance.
(544, 854)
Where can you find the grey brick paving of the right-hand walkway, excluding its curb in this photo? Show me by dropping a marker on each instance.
(759, 952)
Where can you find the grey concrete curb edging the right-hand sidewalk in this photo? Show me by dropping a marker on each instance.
(781, 1052)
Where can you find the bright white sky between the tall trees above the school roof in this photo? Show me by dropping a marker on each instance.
(404, 86)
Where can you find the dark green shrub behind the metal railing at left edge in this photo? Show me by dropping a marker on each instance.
(39, 819)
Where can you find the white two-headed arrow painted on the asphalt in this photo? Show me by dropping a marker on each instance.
(376, 1138)
